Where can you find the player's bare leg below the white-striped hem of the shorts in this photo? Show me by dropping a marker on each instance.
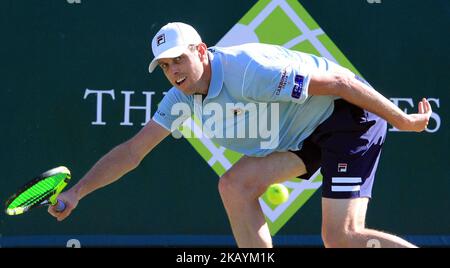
(343, 225)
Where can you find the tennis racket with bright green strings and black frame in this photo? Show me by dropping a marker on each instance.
(42, 190)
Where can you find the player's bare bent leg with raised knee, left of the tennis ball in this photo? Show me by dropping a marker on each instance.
(242, 185)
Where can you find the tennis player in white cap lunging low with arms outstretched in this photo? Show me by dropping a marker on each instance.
(328, 118)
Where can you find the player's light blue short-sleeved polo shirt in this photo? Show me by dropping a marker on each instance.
(257, 102)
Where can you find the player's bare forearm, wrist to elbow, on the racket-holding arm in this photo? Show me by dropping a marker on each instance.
(107, 170)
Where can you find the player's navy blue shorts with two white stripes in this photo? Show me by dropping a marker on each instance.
(347, 147)
